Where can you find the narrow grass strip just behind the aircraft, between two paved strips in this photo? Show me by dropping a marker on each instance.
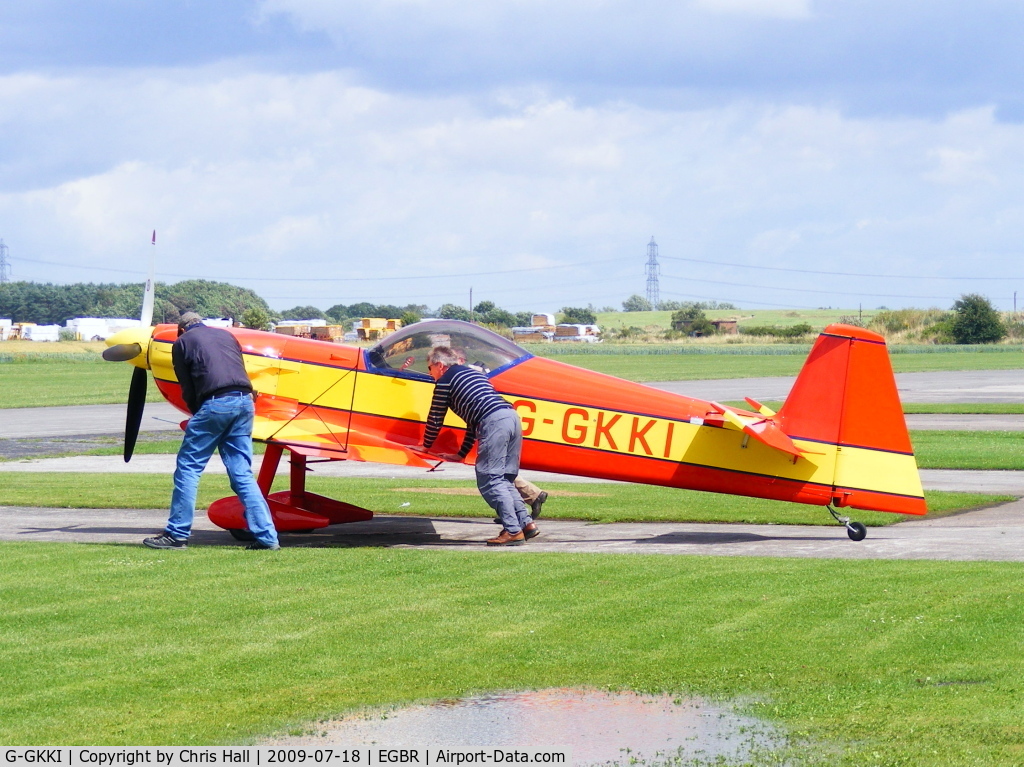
(600, 502)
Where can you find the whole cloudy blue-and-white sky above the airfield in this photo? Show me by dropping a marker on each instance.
(782, 153)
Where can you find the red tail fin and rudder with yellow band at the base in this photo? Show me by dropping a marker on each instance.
(846, 396)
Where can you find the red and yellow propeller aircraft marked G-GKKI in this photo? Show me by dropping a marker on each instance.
(840, 441)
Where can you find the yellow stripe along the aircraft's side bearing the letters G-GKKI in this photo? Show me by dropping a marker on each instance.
(600, 430)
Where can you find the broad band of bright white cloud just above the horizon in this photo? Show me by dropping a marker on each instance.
(254, 176)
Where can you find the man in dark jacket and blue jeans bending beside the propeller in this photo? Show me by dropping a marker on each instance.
(217, 390)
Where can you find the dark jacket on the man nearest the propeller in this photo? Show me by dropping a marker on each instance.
(208, 362)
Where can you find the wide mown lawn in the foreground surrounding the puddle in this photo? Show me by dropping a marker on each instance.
(864, 662)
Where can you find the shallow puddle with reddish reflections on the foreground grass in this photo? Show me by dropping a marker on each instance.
(600, 728)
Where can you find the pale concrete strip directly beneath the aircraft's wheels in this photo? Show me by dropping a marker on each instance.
(988, 535)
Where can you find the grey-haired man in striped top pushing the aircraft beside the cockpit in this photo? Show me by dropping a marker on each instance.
(470, 395)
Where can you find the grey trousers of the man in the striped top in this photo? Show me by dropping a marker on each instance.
(499, 444)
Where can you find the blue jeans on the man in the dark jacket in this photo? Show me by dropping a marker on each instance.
(225, 424)
